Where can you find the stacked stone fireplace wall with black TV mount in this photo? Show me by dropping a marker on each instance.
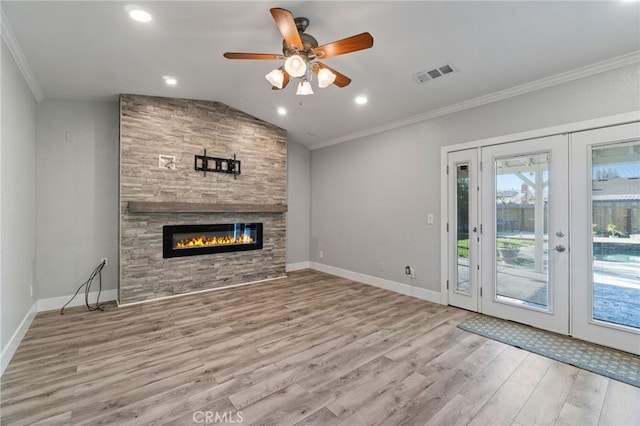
(181, 128)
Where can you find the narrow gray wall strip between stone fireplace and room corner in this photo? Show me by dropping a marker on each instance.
(299, 202)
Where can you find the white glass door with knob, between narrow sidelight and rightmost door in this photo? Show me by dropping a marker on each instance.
(525, 227)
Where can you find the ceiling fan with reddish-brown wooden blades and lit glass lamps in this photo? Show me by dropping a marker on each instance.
(301, 53)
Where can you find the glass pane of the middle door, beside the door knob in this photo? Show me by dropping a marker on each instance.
(521, 230)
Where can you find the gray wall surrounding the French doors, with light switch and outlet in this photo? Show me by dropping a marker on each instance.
(370, 197)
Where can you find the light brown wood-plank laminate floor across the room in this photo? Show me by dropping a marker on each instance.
(309, 349)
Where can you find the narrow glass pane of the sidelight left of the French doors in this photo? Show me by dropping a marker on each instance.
(462, 210)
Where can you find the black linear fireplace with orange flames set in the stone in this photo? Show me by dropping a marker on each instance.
(193, 240)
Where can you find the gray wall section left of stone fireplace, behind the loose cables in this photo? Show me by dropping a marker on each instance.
(77, 191)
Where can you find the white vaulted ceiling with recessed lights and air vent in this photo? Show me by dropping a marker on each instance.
(94, 51)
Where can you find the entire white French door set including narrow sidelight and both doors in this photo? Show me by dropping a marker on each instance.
(512, 252)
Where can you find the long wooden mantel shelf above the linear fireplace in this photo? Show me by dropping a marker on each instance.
(176, 207)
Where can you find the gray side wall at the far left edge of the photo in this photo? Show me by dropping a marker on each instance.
(18, 198)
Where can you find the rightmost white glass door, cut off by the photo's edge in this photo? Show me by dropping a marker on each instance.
(605, 204)
